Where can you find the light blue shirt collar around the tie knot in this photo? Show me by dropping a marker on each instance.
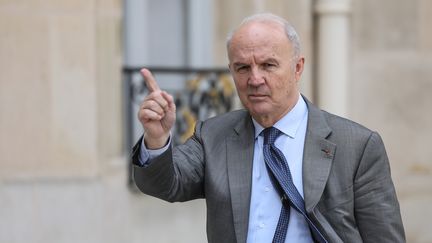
(290, 123)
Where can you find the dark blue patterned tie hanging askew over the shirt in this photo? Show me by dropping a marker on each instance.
(282, 180)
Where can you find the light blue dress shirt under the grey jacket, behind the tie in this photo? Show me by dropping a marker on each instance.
(265, 206)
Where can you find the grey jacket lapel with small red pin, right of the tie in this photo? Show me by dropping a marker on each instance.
(317, 158)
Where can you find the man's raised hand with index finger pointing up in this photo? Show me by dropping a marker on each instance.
(156, 114)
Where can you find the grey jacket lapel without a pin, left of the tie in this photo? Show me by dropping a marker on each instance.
(240, 148)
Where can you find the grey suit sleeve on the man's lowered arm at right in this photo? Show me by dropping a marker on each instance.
(376, 206)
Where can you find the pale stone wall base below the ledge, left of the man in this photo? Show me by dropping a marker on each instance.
(99, 210)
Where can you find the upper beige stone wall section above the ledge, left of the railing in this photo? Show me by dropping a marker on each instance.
(61, 109)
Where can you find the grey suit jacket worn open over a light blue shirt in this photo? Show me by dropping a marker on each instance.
(348, 191)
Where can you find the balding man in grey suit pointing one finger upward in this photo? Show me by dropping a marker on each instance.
(338, 169)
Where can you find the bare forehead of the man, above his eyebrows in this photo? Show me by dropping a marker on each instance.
(259, 38)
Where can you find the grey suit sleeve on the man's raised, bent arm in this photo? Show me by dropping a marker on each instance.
(176, 175)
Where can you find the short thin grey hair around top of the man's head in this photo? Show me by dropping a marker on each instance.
(269, 17)
